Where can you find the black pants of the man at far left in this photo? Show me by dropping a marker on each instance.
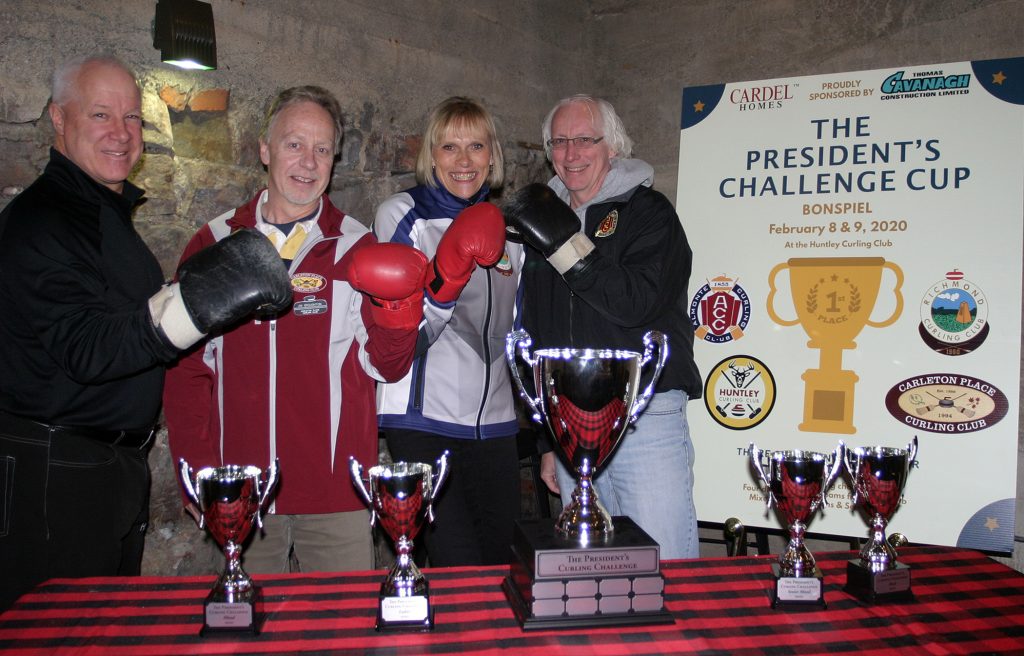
(71, 507)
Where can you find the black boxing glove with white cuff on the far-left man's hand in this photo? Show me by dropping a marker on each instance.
(220, 286)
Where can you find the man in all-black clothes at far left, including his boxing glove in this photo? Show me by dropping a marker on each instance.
(87, 325)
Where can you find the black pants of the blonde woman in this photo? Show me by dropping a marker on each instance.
(478, 507)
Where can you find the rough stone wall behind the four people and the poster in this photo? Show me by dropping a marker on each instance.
(390, 62)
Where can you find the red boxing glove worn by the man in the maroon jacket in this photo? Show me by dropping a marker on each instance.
(392, 278)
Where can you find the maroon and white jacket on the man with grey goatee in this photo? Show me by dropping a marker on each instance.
(300, 388)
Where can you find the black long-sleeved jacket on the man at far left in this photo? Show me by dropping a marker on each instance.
(77, 343)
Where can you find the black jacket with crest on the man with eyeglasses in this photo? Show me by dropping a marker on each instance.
(636, 283)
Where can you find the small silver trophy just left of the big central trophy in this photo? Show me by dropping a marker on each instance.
(402, 498)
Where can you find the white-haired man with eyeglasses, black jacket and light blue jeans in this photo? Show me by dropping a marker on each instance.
(610, 261)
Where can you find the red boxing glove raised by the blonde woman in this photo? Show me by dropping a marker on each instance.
(477, 237)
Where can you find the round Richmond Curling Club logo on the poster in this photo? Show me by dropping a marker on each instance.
(954, 316)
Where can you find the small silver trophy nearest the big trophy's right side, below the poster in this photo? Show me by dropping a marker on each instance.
(796, 485)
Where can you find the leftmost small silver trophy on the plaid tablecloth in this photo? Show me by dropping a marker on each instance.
(228, 501)
